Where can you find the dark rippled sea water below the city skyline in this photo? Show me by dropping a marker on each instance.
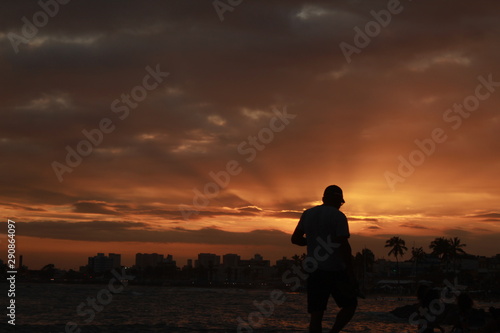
(49, 307)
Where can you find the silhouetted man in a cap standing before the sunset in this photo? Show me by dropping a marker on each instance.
(327, 234)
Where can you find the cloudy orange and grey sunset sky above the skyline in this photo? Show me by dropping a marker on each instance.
(268, 92)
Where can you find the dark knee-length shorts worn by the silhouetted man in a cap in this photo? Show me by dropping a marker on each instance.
(322, 284)
